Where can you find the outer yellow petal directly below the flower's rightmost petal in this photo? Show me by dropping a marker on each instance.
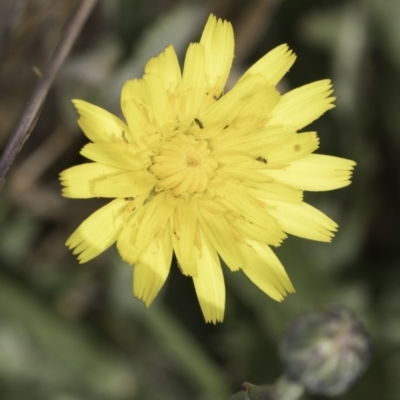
(304, 221)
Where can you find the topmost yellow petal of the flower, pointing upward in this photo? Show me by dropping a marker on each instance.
(218, 42)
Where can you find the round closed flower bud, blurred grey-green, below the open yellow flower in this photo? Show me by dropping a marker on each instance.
(326, 351)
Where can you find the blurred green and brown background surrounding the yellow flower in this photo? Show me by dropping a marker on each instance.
(73, 332)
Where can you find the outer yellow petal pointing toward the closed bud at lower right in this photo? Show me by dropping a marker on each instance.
(265, 270)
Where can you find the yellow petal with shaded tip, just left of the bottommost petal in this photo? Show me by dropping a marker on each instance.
(152, 269)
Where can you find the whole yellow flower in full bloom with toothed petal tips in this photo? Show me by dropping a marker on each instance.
(205, 174)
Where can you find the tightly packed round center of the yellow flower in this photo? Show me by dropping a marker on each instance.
(184, 165)
